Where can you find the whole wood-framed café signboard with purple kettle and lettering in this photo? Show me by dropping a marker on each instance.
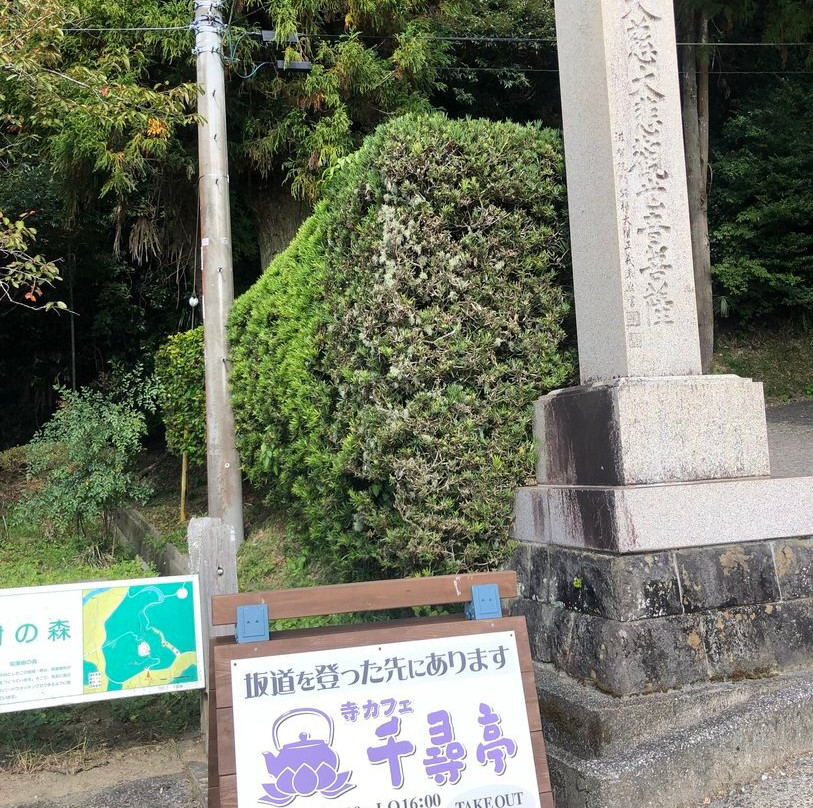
(424, 713)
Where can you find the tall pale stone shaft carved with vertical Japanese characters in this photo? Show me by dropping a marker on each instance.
(627, 194)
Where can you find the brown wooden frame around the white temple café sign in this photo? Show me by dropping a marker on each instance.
(346, 598)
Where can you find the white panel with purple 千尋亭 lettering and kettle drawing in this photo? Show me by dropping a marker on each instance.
(437, 723)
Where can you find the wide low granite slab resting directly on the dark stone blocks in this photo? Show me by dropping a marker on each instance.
(645, 518)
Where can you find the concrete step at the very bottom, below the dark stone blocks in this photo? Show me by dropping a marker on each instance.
(669, 750)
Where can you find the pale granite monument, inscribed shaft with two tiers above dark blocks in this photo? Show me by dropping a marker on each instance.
(647, 453)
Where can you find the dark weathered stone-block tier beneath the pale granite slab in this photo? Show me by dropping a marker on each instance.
(649, 622)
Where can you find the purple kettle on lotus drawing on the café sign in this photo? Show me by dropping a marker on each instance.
(305, 767)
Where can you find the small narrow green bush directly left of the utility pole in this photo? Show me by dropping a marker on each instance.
(179, 371)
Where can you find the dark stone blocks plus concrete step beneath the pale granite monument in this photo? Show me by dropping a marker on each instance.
(666, 677)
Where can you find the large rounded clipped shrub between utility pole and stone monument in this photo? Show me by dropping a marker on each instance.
(384, 367)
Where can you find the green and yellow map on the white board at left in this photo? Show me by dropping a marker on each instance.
(138, 636)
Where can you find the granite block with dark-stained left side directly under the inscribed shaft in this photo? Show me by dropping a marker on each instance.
(636, 431)
